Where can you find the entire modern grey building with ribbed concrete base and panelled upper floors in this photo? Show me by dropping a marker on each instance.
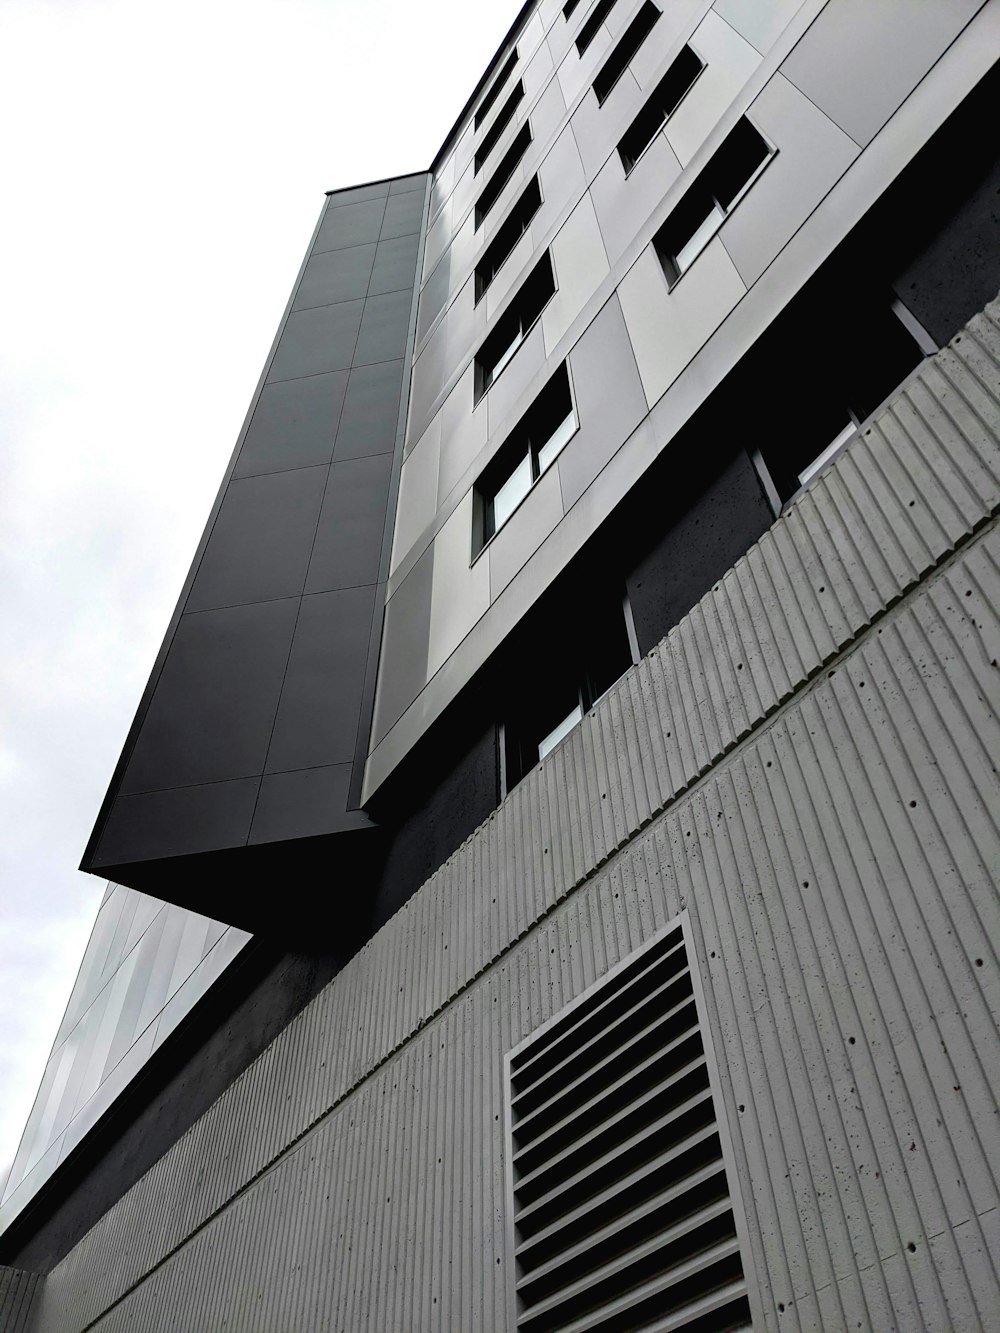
(554, 863)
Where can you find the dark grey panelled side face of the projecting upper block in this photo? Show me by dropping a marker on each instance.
(306, 510)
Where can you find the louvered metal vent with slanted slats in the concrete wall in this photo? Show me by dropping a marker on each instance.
(623, 1218)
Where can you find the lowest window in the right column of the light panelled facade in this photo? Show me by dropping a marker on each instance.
(737, 163)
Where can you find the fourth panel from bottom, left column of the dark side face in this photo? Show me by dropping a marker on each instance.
(294, 425)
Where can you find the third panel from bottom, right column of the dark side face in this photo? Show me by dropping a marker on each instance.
(349, 538)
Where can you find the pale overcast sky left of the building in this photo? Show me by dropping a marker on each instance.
(162, 169)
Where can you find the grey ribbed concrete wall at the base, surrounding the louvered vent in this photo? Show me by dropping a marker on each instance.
(807, 768)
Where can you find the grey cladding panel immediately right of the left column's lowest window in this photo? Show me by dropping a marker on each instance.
(610, 401)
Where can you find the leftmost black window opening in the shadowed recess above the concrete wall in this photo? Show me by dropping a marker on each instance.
(581, 653)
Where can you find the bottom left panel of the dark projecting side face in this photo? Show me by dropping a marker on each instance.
(183, 820)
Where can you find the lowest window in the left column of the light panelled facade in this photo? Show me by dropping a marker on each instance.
(527, 454)
